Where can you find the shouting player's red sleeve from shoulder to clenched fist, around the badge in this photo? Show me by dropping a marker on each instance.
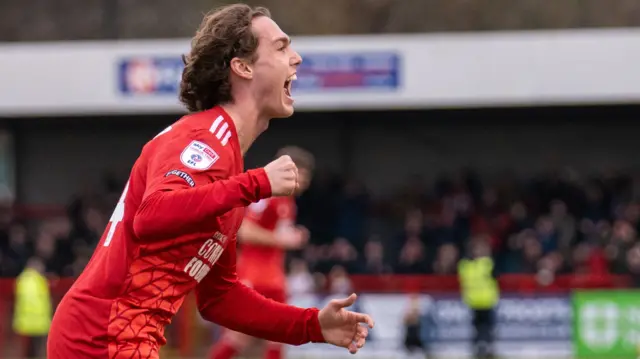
(180, 199)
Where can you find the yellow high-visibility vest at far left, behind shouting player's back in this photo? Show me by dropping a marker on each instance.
(32, 314)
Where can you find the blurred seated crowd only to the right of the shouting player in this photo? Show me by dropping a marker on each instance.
(558, 222)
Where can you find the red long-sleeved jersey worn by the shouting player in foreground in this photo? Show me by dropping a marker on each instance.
(173, 231)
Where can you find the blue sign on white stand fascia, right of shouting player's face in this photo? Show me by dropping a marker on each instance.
(348, 71)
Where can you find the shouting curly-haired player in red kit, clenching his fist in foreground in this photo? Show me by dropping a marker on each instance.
(174, 228)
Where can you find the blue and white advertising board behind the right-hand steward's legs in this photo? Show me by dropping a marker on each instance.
(524, 326)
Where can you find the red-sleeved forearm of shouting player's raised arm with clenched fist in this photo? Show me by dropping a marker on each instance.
(166, 214)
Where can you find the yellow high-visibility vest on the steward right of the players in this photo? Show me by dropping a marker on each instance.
(479, 288)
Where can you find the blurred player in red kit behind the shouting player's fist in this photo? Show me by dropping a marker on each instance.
(269, 229)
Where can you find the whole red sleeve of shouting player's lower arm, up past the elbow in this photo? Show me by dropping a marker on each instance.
(227, 302)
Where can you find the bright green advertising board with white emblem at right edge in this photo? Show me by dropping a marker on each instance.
(607, 324)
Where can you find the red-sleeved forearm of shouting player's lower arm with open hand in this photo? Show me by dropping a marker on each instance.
(244, 310)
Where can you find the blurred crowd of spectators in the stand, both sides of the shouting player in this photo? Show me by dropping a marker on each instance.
(559, 222)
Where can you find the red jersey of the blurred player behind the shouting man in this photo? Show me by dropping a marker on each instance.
(263, 266)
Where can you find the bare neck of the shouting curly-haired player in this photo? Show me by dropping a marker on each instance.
(249, 125)
